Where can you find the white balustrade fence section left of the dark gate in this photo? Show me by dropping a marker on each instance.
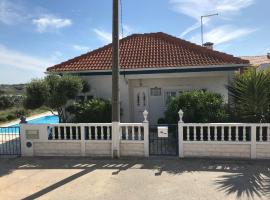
(85, 139)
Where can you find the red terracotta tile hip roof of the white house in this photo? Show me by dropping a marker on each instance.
(152, 50)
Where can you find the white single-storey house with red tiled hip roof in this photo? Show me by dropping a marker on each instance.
(154, 67)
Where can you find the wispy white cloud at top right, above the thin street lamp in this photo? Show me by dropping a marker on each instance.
(195, 9)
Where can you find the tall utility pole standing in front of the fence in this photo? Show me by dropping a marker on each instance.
(115, 80)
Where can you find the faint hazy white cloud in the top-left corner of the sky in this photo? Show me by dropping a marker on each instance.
(11, 13)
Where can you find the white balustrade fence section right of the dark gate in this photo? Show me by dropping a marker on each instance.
(241, 140)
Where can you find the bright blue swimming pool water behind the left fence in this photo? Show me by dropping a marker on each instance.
(50, 119)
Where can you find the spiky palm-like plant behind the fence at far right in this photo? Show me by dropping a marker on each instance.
(250, 95)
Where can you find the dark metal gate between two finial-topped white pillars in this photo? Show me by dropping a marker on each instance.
(160, 146)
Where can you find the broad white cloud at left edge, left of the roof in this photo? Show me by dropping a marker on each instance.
(14, 59)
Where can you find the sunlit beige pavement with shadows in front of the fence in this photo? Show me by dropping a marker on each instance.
(132, 179)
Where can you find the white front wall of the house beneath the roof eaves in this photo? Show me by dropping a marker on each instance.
(212, 81)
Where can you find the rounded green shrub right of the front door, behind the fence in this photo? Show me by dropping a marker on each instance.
(198, 106)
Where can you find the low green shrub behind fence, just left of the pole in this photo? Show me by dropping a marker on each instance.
(94, 110)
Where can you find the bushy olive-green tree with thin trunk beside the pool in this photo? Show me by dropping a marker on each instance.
(53, 92)
